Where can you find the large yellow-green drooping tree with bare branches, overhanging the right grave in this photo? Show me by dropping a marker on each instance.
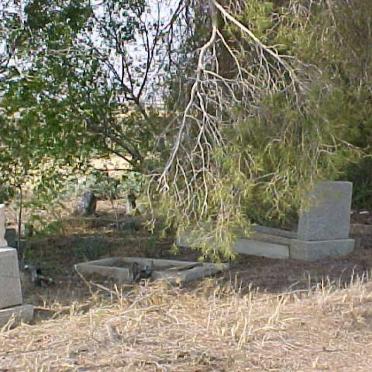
(257, 127)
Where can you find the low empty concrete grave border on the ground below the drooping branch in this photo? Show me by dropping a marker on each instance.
(132, 269)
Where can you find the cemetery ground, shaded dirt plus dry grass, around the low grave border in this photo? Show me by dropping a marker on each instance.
(262, 314)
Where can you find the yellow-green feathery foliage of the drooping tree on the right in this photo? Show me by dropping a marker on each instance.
(274, 151)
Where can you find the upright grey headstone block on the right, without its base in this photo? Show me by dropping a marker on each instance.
(326, 214)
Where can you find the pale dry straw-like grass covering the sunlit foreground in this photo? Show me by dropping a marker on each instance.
(214, 326)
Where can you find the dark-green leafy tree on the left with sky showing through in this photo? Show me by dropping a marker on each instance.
(73, 84)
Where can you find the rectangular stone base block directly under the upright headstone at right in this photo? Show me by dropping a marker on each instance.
(316, 250)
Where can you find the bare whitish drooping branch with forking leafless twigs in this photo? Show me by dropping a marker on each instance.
(212, 95)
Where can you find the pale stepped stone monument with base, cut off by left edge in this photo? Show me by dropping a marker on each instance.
(11, 300)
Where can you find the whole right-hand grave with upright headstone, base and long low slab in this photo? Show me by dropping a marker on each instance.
(323, 228)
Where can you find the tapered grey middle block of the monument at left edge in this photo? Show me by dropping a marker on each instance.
(10, 284)
